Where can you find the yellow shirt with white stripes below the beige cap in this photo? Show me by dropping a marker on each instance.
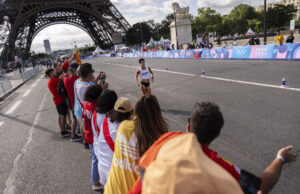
(124, 170)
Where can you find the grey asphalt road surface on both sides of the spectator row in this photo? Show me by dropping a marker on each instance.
(259, 119)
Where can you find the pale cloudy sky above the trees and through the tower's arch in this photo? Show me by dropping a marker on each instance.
(62, 36)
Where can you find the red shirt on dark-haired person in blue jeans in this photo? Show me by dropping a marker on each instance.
(88, 110)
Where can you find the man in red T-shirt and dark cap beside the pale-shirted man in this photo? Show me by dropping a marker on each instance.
(69, 85)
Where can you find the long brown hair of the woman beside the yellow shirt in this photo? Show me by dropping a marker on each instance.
(149, 123)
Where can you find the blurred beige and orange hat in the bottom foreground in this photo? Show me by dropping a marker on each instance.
(177, 165)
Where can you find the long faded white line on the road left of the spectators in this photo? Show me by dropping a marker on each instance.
(9, 183)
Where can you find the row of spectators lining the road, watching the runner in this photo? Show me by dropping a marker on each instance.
(132, 149)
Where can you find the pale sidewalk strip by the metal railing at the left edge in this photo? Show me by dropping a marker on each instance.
(9, 82)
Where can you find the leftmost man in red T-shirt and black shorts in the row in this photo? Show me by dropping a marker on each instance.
(59, 101)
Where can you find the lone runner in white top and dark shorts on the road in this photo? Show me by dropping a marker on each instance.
(145, 72)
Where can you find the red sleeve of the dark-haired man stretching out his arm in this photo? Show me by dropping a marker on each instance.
(222, 162)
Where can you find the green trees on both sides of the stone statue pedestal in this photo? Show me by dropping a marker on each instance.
(239, 20)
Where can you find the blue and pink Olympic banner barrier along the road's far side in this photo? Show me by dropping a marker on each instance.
(271, 52)
